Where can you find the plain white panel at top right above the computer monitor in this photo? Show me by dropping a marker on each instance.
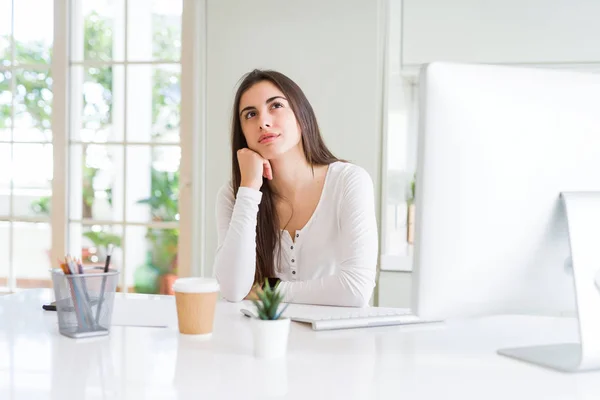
(501, 31)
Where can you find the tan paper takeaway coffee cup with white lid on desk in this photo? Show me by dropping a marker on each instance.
(196, 299)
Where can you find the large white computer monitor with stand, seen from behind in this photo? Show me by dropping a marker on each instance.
(501, 151)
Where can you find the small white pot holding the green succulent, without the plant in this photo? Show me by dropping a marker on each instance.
(270, 337)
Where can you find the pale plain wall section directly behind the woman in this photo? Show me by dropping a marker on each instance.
(332, 49)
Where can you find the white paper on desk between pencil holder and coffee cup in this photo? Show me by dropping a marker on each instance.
(143, 310)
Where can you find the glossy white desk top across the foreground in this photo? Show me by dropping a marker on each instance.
(455, 361)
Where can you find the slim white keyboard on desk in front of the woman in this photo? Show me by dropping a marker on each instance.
(326, 318)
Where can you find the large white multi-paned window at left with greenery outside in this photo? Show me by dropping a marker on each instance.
(90, 143)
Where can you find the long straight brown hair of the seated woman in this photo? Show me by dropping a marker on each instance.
(316, 152)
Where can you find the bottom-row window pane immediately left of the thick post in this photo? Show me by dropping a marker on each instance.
(31, 248)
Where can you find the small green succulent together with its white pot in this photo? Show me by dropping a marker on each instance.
(270, 330)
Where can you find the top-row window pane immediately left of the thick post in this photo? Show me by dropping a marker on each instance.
(34, 28)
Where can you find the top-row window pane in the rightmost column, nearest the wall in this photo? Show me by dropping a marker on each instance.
(154, 30)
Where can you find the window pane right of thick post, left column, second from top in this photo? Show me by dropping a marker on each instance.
(98, 93)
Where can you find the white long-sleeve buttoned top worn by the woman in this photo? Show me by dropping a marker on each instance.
(333, 258)
